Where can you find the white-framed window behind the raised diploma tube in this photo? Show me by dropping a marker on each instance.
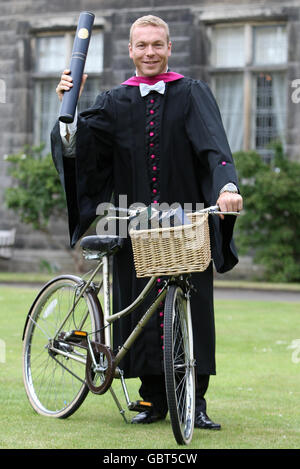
(52, 56)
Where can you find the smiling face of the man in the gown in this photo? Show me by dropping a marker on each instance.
(149, 49)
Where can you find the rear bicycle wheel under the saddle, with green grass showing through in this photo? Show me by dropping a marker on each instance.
(55, 384)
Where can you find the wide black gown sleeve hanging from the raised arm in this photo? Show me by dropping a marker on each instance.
(87, 178)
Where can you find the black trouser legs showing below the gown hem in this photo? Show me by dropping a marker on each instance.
(153, 389)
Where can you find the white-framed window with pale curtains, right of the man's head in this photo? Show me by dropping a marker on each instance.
(248, 66)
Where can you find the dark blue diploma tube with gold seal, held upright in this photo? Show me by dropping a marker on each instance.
(78, 58)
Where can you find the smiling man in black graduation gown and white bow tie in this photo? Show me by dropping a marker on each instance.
(163, 145)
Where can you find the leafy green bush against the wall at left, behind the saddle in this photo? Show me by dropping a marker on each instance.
(36, 195)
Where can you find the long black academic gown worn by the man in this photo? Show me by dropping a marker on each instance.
(195, 163)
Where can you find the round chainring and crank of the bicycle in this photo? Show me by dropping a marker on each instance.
(100, 377)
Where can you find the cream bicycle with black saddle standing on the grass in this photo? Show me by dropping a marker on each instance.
(67, 339)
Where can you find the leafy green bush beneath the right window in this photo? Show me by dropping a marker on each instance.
(270, 225)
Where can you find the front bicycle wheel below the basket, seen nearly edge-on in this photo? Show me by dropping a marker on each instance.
(179, 364)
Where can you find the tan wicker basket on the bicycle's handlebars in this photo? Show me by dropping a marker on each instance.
(172, 250)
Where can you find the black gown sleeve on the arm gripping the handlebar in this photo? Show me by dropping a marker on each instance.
(207, 136)
